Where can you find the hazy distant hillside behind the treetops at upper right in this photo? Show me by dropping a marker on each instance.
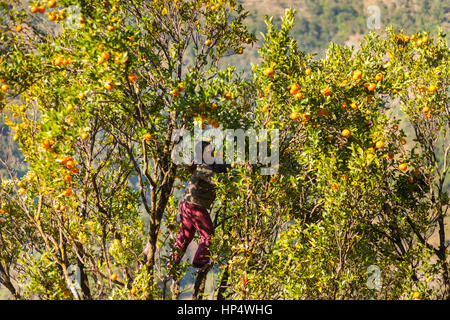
(319, 22)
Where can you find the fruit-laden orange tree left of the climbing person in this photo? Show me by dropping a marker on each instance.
(93, 91)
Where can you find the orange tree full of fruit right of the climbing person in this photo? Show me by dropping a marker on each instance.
(356, 202)
